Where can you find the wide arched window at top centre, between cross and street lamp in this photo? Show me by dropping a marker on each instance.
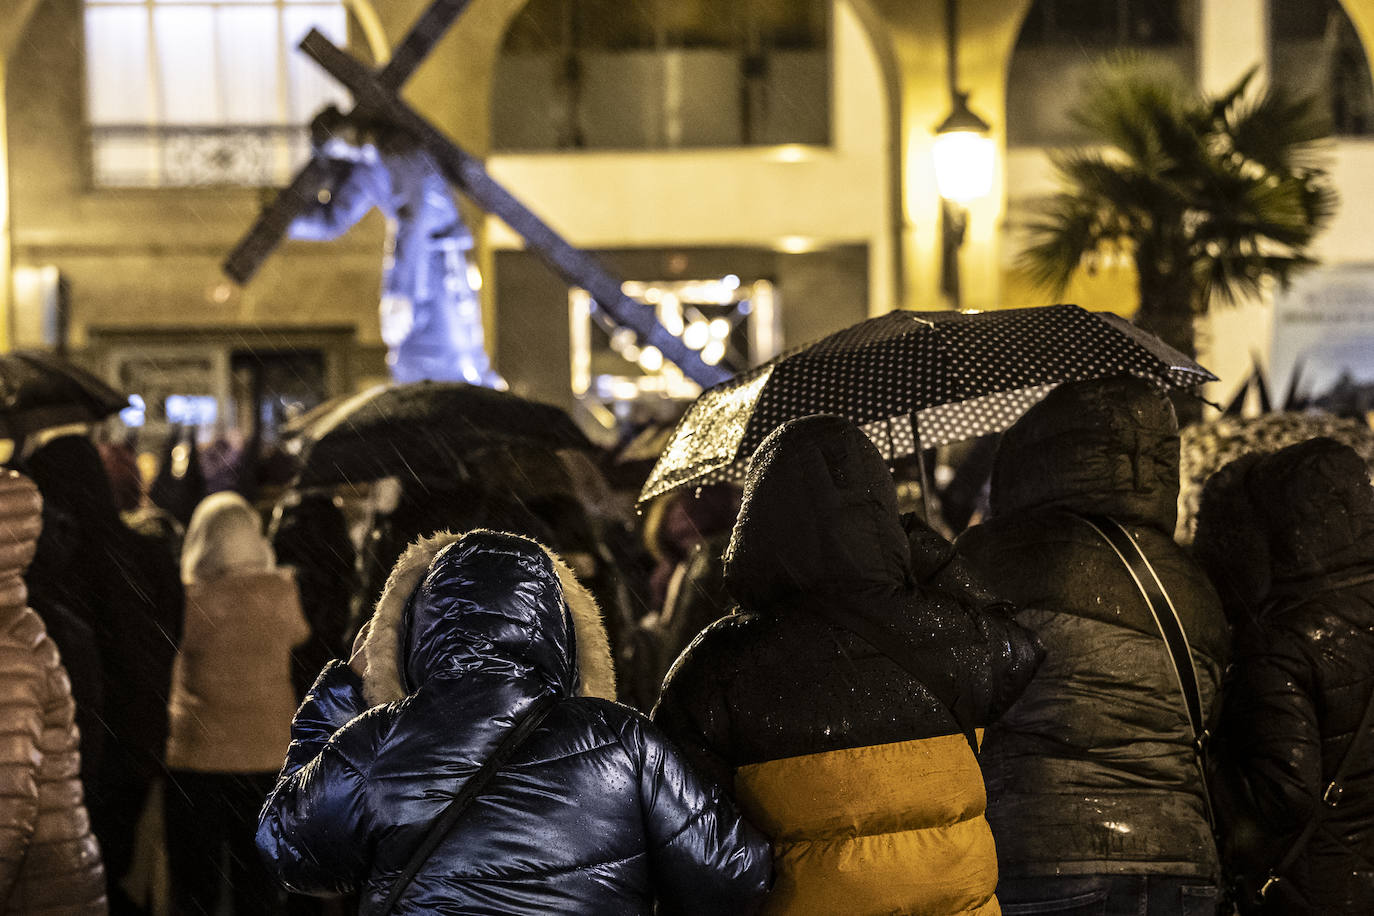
(609, 75)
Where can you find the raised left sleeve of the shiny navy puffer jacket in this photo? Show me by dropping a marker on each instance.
(313, 830)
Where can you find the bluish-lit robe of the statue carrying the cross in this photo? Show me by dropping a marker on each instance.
(432, 321)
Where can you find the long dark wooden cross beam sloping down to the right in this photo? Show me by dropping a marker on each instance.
(468, 174)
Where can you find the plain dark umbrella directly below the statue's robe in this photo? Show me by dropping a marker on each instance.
(425, 429)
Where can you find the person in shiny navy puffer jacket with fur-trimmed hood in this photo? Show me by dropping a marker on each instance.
(594, 812)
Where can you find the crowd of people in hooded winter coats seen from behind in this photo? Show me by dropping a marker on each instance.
(504, 693)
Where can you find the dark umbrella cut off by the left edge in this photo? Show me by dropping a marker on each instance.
(41, 391)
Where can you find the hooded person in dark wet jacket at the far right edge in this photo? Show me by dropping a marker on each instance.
(1289, 538)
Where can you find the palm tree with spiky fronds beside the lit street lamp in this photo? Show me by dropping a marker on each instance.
(1210, 196)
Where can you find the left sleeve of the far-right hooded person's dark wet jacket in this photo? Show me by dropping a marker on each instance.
(1273, 733)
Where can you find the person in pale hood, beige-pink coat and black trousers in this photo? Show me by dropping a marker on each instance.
(232, 705)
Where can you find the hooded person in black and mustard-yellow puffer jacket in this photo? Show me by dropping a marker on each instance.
(844, 694)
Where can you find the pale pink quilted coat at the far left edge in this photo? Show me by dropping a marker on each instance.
(50, 863)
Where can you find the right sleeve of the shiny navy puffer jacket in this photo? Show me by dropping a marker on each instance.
(704, 856)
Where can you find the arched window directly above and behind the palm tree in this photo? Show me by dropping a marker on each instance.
(1063, 41)
